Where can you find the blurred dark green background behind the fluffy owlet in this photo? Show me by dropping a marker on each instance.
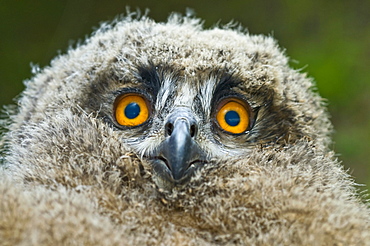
(330, 40)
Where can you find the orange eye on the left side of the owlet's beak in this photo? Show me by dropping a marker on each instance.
(131, 110)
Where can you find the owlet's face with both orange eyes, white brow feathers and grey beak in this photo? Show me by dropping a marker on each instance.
(178, 127)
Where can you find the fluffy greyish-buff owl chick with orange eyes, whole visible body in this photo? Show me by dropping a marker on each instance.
(170, 134)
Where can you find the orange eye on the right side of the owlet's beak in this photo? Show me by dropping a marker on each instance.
(233, 116)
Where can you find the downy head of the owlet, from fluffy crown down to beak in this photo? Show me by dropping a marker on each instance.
(177, 96)
